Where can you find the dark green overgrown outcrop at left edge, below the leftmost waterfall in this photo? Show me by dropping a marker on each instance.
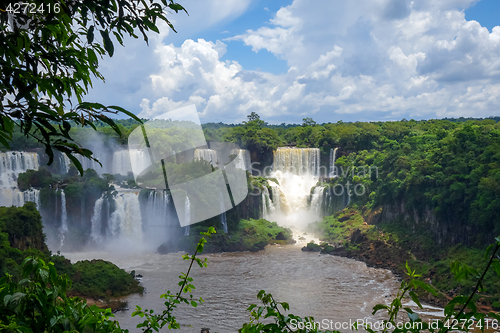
(23, 225)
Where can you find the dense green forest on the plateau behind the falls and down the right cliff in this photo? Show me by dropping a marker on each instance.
(448, 168)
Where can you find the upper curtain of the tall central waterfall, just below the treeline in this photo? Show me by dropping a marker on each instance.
(298, 161)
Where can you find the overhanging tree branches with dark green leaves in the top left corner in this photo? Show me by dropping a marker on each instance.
(49, 55)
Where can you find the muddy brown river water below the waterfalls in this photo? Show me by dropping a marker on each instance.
(334, 290)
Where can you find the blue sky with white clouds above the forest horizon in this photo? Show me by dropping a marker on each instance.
(331, 60)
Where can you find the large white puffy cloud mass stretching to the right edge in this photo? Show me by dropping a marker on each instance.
(388, 58)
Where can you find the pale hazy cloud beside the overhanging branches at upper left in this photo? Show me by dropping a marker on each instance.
(128, 72)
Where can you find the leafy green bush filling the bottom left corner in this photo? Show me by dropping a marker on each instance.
(38, 303)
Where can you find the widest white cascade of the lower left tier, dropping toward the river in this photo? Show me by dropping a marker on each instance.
(126, 220)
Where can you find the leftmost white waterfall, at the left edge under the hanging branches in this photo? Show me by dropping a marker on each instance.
(13, 163)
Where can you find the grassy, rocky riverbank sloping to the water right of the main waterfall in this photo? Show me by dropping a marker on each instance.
(388, 245)
